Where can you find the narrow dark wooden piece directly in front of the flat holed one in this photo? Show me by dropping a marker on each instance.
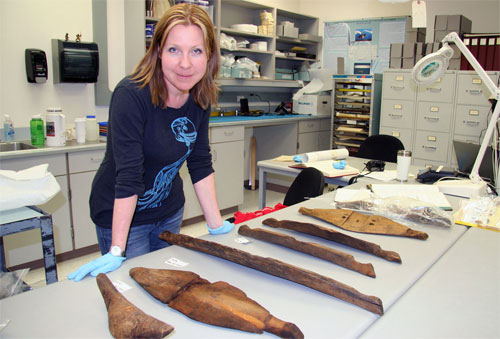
(335, 236)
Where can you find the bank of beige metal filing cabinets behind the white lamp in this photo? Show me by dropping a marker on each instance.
(428, 118)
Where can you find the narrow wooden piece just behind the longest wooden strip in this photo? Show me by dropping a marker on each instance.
(317, 250)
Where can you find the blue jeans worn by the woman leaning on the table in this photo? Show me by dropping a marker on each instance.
(144, 238)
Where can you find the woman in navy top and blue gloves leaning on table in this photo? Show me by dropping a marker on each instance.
(158, 119)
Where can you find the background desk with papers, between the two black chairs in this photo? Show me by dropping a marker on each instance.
(283, 168)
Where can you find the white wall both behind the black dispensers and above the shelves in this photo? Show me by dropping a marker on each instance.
(33, 23)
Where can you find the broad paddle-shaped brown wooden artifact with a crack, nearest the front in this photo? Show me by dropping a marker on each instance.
(218, 303)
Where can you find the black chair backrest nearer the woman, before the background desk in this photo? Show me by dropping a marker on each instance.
(309, 183)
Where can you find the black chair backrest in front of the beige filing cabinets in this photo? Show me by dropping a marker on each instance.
(380, 147)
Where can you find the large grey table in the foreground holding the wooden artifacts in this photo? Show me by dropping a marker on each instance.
(69, 309)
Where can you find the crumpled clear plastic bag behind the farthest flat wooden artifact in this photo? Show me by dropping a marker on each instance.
(403, 209)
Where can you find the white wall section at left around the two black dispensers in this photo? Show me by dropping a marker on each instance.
(32, 24)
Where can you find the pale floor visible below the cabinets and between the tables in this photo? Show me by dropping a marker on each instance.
(36, 278)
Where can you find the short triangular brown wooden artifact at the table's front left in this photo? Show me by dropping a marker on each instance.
(124, 319)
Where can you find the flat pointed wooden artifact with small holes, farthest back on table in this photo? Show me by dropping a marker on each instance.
(363, 223)
